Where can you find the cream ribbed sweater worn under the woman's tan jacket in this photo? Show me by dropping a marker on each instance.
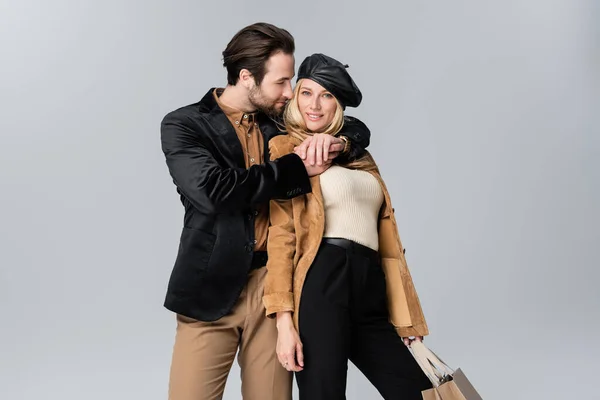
(352, 200)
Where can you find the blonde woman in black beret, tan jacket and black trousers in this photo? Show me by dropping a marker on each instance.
(328, 253)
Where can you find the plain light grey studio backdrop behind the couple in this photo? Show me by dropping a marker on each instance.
(485, 123)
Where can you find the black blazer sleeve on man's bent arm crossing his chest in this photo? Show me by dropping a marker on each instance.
(209, 186)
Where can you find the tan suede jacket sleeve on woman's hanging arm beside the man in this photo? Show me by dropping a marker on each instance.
(281, 247)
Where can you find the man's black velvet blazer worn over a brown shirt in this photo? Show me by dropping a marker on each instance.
(206, 161)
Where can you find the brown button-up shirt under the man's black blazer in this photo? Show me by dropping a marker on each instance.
(252, 141)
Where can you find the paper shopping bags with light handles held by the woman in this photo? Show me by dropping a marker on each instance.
(448, 384)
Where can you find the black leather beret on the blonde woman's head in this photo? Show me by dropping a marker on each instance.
(332, 75)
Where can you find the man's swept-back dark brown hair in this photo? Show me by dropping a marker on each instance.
(252, 46)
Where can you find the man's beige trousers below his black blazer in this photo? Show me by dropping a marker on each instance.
(204, 352)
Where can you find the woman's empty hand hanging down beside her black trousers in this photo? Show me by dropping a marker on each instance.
(289, 346)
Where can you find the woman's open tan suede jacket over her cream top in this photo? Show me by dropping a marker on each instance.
(294, 238)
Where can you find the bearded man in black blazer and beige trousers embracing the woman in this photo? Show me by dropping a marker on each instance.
(216, 151)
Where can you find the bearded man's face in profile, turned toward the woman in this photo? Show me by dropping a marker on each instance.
(275, 90)
